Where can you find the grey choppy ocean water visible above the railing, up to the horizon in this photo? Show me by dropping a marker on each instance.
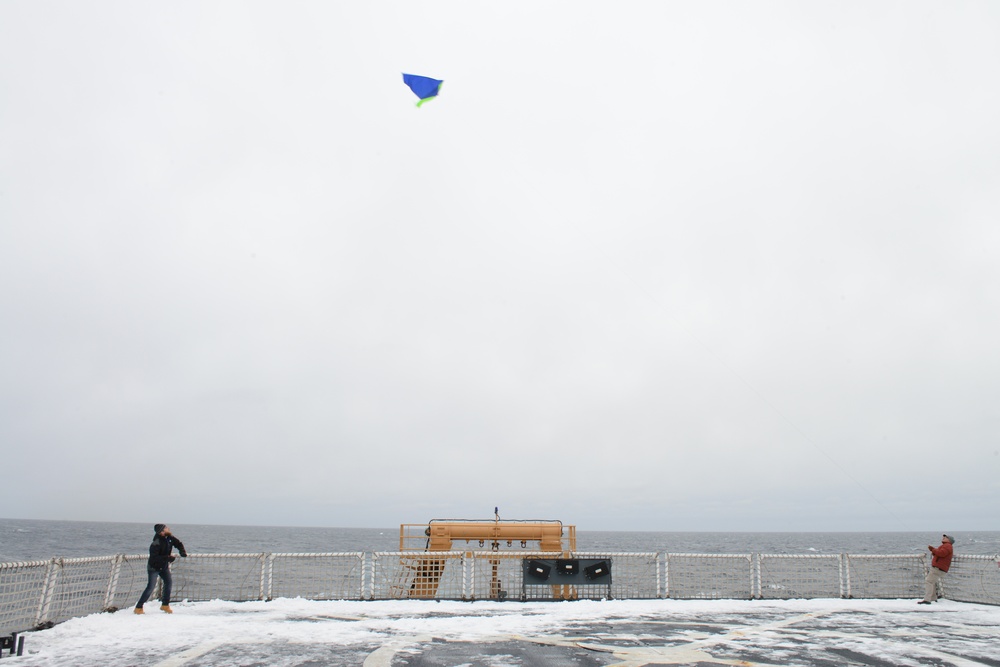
(22, 539)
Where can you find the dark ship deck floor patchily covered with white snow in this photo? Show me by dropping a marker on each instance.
(299, 633)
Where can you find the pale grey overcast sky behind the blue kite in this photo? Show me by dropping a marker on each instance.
(641, 266)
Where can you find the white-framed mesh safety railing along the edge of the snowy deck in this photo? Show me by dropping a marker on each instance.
(37, 594)
